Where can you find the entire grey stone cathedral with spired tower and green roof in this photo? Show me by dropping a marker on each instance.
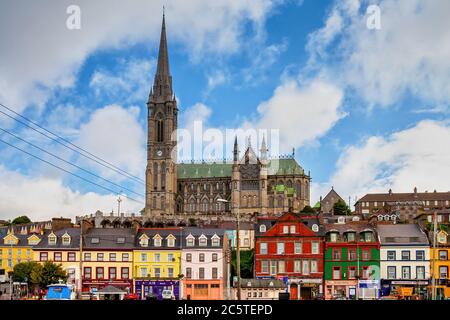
(253, 185)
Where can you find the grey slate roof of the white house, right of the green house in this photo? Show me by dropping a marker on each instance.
(402, 234)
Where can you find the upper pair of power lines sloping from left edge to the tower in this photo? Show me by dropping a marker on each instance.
(86, 153)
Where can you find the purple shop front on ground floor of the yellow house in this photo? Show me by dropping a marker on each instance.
(147, 289)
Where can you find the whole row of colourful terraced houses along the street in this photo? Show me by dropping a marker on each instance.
(304, 255)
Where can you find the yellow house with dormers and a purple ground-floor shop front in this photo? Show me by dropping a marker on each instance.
(157, 261)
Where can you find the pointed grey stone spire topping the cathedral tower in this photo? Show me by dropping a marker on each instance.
(162, 85)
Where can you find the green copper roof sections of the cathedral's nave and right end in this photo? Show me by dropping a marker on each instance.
(216, 170)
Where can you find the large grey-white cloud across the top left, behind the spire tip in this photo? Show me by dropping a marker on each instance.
(41, 54)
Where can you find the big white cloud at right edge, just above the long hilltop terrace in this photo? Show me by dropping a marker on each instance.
(414, 157)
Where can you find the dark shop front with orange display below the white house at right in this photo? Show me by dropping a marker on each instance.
(405, 289)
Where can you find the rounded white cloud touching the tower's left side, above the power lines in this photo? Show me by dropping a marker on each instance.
(114, 134)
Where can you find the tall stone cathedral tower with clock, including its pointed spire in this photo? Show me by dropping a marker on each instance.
(161, 172)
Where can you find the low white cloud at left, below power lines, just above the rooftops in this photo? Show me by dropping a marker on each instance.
(41, 198)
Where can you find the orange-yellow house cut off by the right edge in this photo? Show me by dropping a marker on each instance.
(440, 264)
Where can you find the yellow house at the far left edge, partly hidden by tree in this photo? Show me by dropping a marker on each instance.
(14, 249)
